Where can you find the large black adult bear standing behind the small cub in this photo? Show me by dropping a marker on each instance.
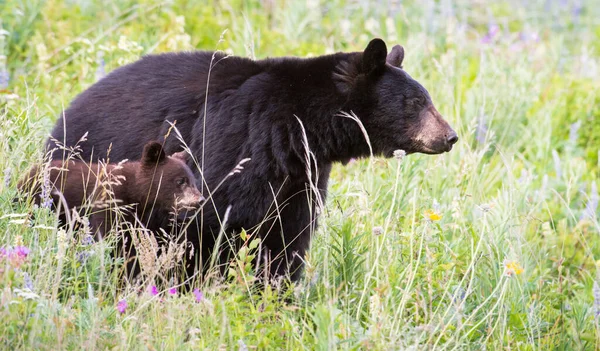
(292, 117)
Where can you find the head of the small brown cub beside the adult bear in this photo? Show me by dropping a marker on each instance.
(167, 182)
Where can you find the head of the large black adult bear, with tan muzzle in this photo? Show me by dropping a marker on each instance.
(396, 111)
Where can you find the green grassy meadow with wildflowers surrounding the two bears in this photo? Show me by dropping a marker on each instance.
(494, 245)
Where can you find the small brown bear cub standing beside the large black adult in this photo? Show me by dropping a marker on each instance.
(152, 189)
